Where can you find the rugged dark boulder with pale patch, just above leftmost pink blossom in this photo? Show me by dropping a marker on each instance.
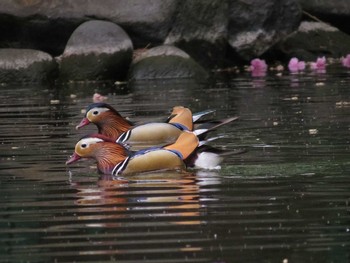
(255, 26)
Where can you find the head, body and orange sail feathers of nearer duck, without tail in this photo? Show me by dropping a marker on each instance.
(115, 159)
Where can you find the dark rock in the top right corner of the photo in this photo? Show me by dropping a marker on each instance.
(335, 12)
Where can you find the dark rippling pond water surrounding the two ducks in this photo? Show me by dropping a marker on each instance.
(286, 199)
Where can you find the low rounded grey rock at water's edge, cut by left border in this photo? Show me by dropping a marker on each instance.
(26, 65)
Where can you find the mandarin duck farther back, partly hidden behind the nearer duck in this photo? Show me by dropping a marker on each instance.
(111, 124)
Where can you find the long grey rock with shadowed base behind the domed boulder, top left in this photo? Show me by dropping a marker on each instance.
(47, 25)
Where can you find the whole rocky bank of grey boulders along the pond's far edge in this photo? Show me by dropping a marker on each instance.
(131, 39)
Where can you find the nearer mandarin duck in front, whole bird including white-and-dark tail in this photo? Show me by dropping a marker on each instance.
(189, 150)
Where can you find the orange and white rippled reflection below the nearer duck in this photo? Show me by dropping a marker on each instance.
(112, 201)
